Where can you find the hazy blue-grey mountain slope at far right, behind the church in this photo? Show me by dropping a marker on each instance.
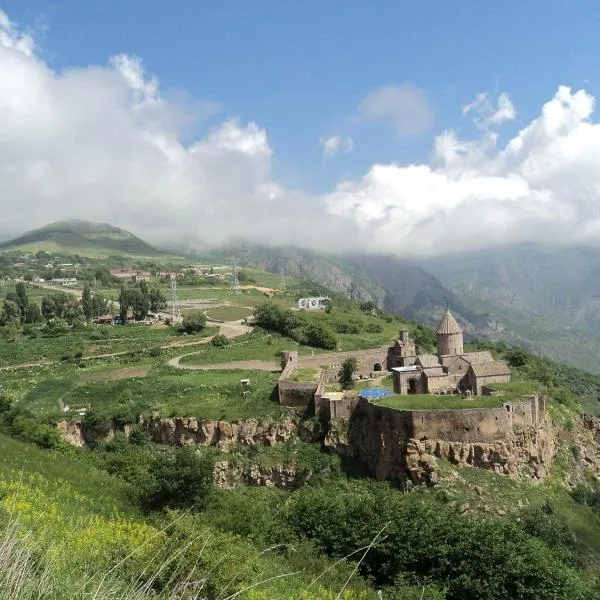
(546, 298)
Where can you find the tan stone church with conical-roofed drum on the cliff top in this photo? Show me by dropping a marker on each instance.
(450, 371)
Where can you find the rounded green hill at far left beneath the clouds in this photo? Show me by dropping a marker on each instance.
(80, 237)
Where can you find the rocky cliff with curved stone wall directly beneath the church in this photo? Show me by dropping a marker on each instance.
(403, 445)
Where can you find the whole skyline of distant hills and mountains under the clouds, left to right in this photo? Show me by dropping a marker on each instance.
(544, 298)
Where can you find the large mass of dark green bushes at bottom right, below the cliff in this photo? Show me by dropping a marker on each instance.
(420, 544)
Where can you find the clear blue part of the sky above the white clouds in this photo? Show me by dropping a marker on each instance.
(300, 69)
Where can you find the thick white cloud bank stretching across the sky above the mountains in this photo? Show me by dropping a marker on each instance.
(104, 143)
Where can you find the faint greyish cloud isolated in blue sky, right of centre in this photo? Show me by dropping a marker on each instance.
(404, 106)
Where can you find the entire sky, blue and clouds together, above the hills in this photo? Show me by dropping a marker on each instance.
(406, 128)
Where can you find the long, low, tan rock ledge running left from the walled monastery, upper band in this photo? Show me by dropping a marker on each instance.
(221, 434)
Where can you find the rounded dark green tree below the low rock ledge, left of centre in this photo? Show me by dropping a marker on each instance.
(181, 479)
